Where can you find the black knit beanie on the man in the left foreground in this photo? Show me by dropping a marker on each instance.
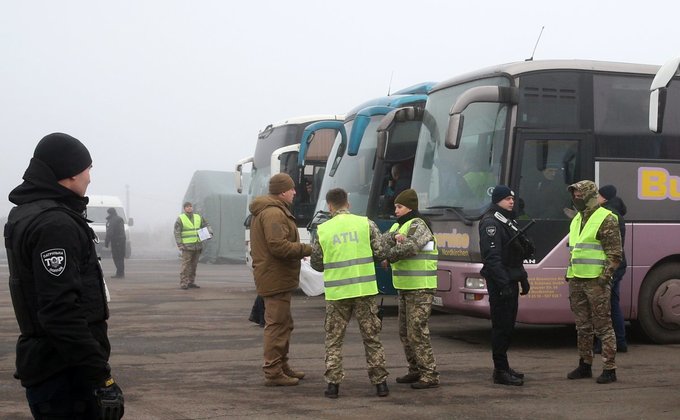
(65, 155)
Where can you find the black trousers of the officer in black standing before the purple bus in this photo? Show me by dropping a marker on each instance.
(503, 317)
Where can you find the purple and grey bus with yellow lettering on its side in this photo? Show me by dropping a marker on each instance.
(522, 124)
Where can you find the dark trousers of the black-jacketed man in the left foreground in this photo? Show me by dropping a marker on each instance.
(62, 397)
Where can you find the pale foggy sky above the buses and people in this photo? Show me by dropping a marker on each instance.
(158, 89)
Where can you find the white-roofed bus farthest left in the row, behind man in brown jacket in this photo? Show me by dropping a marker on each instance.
(271, 141)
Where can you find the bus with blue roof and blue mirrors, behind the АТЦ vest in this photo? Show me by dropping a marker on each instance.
(352, 162)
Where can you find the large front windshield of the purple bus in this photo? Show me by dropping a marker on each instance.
(463, 177)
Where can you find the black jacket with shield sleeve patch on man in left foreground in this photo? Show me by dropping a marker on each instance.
(56, 283)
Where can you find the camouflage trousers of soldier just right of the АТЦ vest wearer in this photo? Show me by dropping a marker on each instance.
(415, 307)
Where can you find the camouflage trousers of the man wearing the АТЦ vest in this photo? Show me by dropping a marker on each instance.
(338, 315)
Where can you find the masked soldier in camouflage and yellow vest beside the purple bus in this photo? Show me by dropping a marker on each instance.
(595, 243)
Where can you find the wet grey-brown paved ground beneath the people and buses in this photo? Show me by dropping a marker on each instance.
(193, 354)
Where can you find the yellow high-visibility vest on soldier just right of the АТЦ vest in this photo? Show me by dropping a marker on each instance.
(418, 271)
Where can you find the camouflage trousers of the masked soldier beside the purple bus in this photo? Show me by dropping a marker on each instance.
(591, 304)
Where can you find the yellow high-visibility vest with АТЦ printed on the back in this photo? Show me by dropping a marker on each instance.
(349, 270)
